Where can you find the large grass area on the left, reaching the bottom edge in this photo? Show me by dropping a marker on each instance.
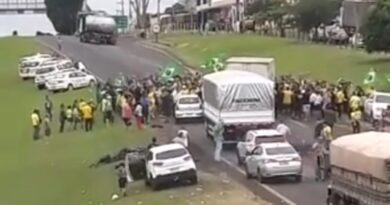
(55, 170)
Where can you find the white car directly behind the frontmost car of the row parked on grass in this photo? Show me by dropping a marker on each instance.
(50, 71)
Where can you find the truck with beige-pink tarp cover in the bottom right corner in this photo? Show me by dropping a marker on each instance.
(360, 169)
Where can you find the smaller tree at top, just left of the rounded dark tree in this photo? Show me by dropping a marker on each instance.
(269, 10)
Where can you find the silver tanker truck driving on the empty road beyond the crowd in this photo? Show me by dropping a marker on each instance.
(99, 29)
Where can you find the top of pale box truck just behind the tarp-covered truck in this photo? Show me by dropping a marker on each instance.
(262, 66)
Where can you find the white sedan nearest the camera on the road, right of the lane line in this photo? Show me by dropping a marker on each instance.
(269, 160)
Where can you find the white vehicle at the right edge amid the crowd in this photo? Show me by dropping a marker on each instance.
(374, 106)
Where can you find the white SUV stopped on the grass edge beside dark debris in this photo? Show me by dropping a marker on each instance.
(169, 163)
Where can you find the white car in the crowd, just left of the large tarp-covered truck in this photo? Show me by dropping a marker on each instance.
(188, 106)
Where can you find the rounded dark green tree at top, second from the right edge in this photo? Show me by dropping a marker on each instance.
(311, 13)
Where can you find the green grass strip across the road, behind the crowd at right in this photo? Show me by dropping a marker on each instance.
(292, 57)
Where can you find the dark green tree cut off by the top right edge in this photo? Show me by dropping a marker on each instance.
(376, 32)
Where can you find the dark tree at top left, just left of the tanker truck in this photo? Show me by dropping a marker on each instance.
(63, 14)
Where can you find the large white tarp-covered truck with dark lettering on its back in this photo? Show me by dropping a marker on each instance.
(242, 100)
